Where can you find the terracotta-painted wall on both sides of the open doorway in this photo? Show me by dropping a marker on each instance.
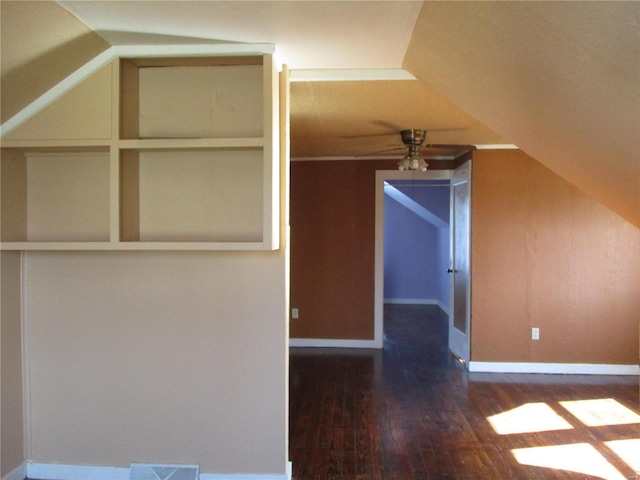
(544, 255)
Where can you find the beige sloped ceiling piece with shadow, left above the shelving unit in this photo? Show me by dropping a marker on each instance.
(41, 45)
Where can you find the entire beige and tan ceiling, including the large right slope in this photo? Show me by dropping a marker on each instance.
(559, 79)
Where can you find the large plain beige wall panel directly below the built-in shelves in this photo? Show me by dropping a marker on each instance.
(158, 357)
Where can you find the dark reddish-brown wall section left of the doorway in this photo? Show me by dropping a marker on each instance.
(332, 247)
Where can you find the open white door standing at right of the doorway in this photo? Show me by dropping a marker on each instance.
(459, 269)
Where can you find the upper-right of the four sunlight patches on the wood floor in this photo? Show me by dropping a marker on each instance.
(601, 412)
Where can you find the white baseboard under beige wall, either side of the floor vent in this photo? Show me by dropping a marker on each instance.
(51, 471)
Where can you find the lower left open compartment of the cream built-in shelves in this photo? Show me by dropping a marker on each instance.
(55, 196)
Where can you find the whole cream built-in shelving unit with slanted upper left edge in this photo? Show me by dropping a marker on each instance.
(186, 160)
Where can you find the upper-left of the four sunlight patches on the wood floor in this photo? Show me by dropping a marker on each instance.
(528, 418)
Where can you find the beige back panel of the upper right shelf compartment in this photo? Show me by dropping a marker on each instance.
(201, 102)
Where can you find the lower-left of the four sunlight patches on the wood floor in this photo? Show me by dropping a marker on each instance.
(580, 458)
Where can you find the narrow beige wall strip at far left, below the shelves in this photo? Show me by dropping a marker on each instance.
(12, 431)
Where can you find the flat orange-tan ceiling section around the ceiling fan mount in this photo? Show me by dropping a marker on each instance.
(360, 118)
